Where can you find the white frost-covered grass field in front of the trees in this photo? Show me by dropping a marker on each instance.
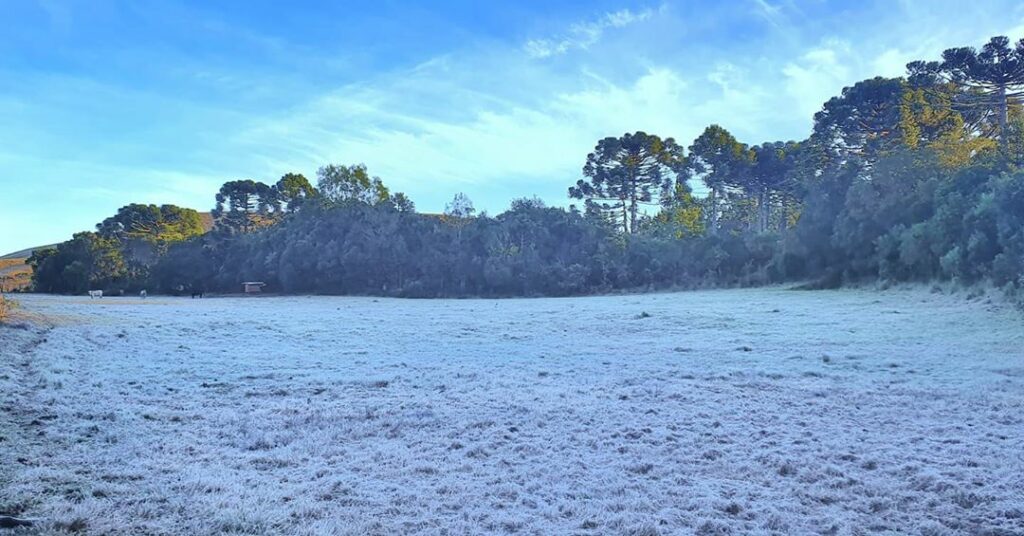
(718, 413)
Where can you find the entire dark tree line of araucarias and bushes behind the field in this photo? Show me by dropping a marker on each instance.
(910, 179)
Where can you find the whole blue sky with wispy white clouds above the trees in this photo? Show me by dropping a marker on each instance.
(106, 103)
